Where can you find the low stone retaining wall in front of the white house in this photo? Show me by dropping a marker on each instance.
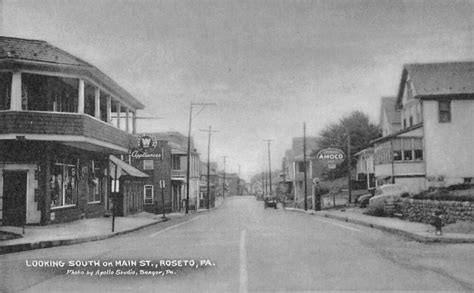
(422, 210)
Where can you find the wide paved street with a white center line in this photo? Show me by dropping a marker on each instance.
(243, 247)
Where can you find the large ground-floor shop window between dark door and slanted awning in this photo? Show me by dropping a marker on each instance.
(63, 184)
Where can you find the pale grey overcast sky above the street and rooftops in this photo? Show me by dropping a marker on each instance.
(269, 65)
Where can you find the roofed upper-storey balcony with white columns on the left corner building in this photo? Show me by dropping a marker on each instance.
(47, 94)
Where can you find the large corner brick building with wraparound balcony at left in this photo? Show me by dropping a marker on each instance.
(61, 119)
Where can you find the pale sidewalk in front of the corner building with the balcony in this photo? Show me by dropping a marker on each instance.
(79, 231)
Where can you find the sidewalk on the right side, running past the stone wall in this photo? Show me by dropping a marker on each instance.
(417, 231)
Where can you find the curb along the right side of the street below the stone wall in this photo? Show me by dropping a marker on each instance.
(411, 235)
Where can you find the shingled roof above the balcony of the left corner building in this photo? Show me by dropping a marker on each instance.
(34, 53)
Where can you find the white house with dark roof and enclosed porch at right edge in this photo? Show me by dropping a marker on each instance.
(433, 147)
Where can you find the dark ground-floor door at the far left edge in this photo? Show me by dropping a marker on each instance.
(14, 198)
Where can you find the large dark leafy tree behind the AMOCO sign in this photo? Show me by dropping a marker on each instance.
(361, 131)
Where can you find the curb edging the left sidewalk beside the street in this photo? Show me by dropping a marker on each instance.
(5, 249)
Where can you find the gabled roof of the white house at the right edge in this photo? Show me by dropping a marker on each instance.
(439, 79)
